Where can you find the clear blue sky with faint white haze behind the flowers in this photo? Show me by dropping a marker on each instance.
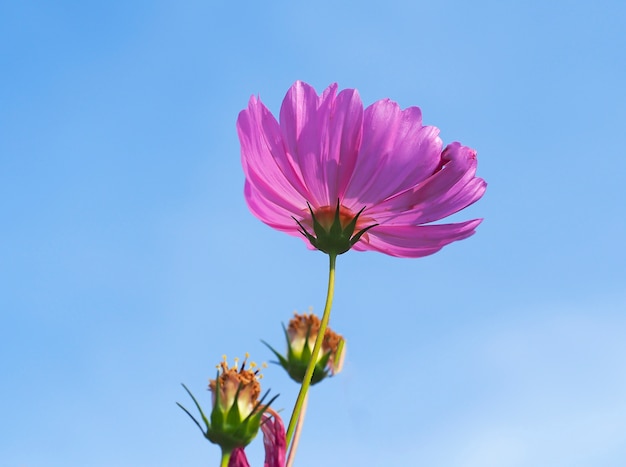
(129, 262)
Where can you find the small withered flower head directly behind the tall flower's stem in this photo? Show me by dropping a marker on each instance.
(301, 335)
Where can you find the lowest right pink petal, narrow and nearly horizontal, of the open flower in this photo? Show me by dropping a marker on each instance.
(414, 241)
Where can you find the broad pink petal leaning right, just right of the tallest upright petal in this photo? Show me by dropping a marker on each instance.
(397, 153)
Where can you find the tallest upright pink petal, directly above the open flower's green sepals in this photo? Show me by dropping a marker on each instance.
(322, 134)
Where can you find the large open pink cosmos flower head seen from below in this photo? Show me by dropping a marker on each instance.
(330, 162)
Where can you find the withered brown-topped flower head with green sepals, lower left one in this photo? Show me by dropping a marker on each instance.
(236, 410)
